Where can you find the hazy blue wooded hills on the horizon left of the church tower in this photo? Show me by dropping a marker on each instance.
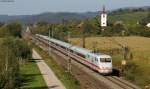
(48, 17)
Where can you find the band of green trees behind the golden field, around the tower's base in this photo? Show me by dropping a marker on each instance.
(91, 27)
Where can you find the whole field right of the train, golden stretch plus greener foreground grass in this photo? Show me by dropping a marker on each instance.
(139, 46)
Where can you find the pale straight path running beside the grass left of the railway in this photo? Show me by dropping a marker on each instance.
(48, 75)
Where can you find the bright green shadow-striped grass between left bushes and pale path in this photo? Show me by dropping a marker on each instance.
(31, 76)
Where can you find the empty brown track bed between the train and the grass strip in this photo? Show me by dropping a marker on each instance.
(86, 81)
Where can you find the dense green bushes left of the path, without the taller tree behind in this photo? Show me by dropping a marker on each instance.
(12, 50)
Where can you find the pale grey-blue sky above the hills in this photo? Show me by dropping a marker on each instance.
(28, 7)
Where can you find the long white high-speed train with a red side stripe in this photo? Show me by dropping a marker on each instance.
(97, 61)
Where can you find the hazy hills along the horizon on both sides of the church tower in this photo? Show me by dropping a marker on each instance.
(123, 14)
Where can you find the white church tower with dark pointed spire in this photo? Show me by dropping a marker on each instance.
(103, 18)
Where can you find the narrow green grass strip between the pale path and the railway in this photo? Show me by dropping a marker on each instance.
(66, 78)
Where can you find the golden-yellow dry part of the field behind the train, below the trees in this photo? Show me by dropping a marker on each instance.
(140, 46)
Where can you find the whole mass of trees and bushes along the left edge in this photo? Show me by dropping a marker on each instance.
(13, 50)
